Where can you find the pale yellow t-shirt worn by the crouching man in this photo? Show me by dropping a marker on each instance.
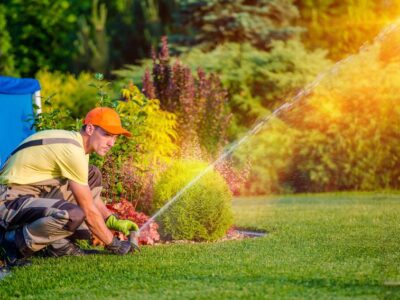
(53, 161)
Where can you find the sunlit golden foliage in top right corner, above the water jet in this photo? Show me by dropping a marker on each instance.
(343, 26)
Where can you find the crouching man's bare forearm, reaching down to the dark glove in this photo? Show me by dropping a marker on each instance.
(94, 217)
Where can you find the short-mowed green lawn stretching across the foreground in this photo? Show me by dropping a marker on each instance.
(324, 246)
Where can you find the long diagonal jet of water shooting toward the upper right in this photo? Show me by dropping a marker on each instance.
(260, 124)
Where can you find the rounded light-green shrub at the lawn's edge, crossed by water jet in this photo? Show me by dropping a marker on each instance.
(203, 212)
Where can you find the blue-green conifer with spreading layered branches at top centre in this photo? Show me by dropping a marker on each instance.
(207, 24)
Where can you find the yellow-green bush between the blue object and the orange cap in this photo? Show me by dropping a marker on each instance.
(68, 92)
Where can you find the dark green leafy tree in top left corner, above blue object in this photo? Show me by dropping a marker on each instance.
(43, 32)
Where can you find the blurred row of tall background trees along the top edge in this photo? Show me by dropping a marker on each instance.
(102, 36)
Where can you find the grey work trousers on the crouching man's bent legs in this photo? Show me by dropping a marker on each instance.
(46, 212)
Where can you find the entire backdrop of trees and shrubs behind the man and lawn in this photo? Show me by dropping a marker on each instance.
(226, 65)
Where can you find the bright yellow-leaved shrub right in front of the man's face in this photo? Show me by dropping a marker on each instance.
(134, 163)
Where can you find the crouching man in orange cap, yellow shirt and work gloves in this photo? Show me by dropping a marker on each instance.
(49, 196)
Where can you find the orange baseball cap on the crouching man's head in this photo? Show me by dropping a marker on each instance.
(106, 118)
